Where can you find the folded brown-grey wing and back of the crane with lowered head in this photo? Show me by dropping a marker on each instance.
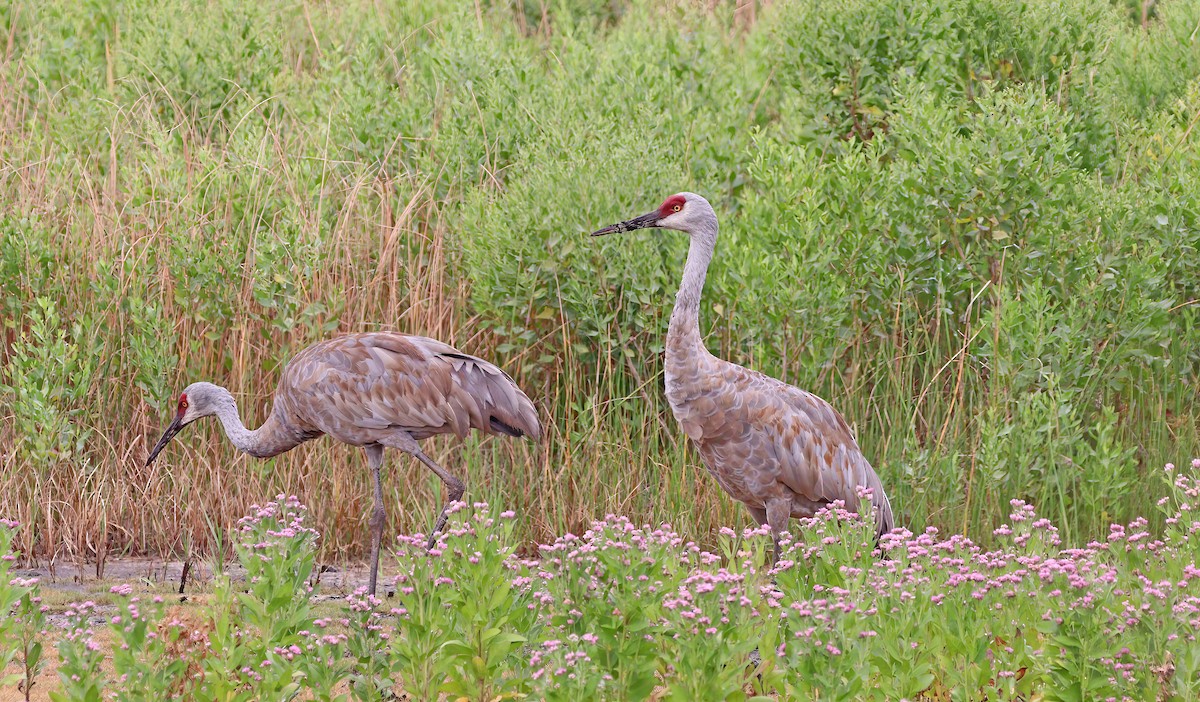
(359, 386)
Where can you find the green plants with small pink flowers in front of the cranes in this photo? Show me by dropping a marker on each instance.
(626, 613)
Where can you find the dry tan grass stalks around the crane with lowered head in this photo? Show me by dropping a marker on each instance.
(113, 503)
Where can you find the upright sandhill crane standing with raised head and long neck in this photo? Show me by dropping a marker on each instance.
(779, 451)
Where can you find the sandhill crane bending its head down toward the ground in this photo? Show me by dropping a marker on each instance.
(373, 391)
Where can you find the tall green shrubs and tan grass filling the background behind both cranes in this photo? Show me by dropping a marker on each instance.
(970, 225)
